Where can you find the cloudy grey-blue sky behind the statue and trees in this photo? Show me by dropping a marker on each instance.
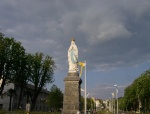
(112, 35)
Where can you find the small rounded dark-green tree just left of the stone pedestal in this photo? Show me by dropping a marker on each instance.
(55, 98)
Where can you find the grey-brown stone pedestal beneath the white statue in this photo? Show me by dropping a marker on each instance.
(72, 94)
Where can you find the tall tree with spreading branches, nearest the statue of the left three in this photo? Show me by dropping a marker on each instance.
(42, 70)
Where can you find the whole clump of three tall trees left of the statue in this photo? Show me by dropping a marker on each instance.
(18, 67)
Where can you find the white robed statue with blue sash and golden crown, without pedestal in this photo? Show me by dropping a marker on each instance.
(73, 57)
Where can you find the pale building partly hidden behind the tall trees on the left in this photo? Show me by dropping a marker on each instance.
(41, 104)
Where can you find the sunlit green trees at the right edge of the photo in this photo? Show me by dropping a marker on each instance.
(138, 93)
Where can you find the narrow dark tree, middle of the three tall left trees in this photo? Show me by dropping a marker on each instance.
(22, 66)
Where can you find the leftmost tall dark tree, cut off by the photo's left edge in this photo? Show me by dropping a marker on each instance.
(11, 51)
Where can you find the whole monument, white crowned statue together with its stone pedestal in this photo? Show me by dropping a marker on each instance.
(72, 93)
